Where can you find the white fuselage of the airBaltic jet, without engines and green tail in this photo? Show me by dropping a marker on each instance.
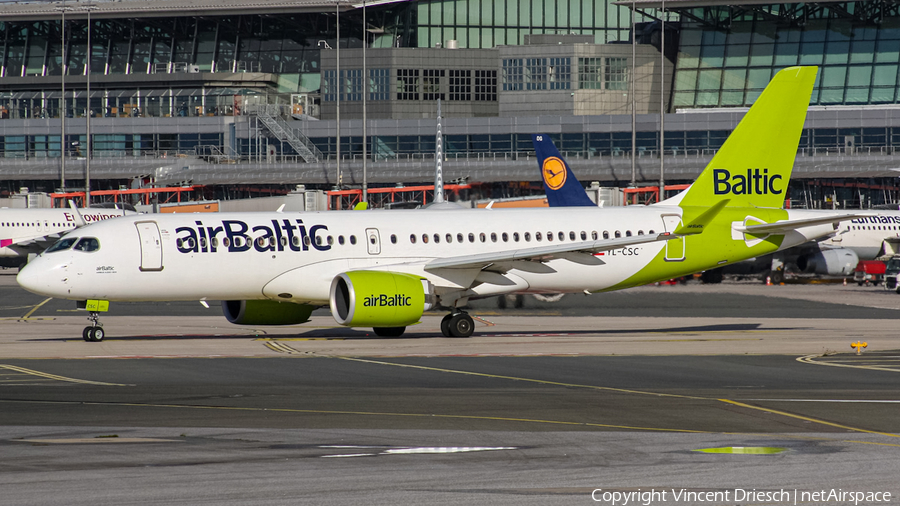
(294, 256)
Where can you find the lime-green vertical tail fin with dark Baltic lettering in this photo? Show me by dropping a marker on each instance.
(753, 167)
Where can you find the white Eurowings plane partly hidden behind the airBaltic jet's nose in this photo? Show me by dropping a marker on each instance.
(25, 232)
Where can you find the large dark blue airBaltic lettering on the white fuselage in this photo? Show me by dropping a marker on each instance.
(237, 236)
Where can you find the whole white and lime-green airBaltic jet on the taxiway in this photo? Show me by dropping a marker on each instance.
(383, 269)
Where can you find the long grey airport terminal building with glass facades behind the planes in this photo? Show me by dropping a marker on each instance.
(234, 93)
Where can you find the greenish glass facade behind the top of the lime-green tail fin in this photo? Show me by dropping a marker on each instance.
(726, 68)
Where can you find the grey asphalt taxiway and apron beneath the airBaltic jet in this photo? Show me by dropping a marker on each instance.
(184, 410)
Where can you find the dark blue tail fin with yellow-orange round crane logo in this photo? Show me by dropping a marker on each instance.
(563, 189)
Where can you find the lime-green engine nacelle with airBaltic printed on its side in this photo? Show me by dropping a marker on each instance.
(379, 299)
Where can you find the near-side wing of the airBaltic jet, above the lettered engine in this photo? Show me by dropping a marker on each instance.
(579, 252)
